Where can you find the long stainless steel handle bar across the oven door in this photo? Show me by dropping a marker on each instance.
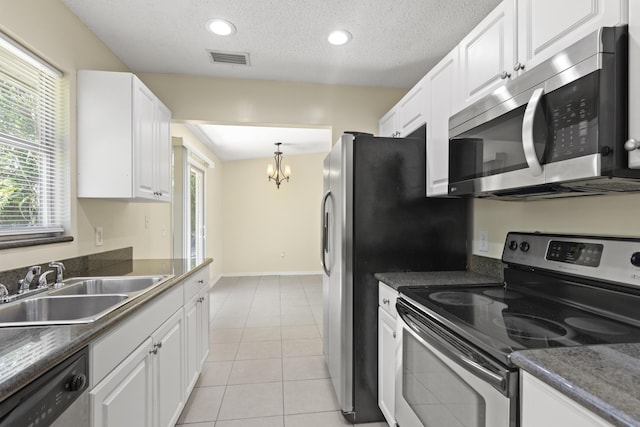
(496, 380)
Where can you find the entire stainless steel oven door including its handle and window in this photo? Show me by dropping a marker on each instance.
(445, 383)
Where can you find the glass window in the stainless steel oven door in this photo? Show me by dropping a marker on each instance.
(438, 396)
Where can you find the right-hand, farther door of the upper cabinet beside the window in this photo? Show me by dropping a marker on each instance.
(163, 150)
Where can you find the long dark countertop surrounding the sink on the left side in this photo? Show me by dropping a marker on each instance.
(27, 352)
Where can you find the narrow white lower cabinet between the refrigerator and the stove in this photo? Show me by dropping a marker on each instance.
(387, 350)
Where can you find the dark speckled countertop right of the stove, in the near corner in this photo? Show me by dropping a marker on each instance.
(603, 378)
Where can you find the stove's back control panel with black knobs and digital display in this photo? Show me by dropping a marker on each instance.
(610, 259)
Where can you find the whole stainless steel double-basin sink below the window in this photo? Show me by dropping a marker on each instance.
(78, 300)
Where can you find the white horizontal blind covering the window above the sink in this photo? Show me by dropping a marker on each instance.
(32, 160)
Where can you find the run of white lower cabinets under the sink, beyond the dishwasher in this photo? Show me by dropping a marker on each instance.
(144, 369)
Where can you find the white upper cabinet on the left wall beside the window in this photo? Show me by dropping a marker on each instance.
(124, 139)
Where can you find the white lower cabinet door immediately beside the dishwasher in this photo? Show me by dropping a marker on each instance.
(124, 397)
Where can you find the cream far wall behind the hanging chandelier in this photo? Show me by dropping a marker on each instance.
(270, 230)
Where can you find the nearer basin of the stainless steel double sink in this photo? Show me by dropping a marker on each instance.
(54, 310)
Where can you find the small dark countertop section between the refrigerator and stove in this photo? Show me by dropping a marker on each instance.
(434, 278)
